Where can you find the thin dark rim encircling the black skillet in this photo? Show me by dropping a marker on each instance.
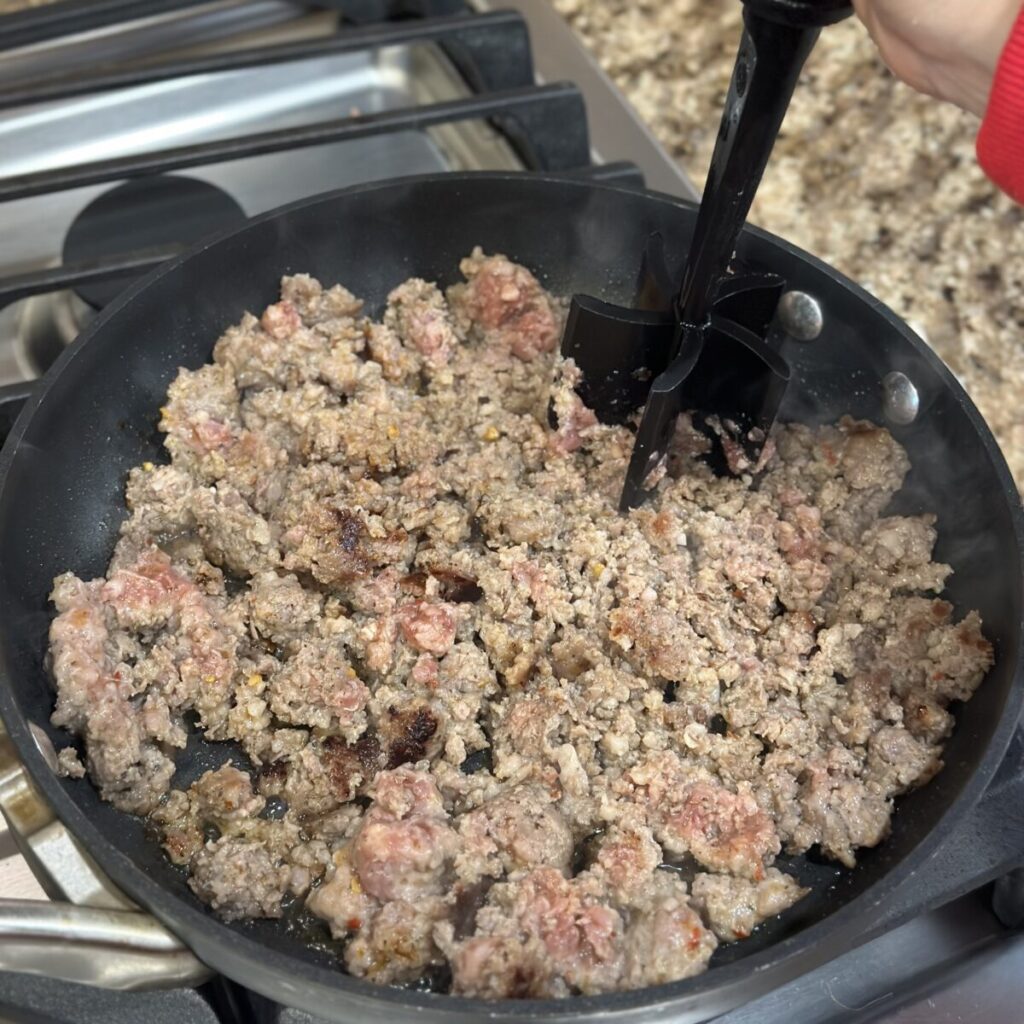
(785, 960)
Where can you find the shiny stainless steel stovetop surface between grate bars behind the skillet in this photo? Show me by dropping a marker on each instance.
(199, 109)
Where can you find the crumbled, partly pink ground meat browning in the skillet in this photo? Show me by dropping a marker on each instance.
(374, 563)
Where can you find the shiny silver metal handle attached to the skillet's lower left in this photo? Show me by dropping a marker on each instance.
(73, 938)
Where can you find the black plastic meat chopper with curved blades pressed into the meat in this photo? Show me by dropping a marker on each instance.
(707, 348)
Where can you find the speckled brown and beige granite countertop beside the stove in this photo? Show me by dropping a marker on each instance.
(874, 179)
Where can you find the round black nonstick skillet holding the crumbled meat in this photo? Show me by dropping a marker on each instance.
(62, 480)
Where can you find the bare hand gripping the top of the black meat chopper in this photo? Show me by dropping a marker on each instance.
(948, 49)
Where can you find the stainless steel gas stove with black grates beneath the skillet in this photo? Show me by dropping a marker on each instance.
(130, 129)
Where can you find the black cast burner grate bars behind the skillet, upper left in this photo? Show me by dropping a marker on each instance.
(546, 125)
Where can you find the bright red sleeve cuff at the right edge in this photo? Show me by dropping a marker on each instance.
(1001, 142)
